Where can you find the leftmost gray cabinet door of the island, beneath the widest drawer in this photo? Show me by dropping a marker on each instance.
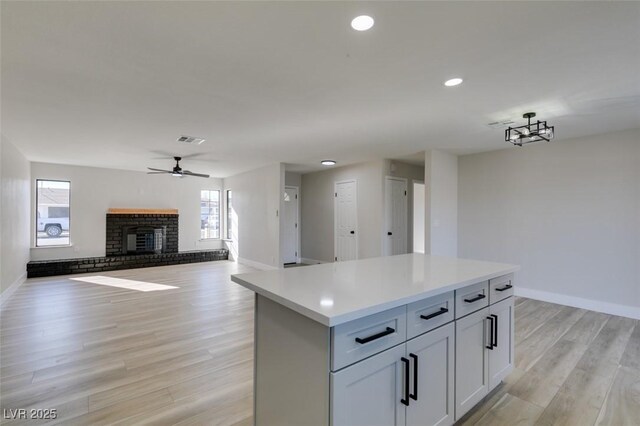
(368, 393)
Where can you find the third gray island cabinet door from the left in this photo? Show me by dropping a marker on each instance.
(472, 361)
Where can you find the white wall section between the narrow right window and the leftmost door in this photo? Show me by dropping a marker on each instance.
(257, 199)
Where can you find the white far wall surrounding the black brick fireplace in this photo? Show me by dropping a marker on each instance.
(95, 190)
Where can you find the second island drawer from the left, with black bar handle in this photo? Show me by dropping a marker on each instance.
(425, 315)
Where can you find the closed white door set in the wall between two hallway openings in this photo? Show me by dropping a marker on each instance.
(346, 226)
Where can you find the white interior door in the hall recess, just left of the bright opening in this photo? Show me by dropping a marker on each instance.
(395, 195)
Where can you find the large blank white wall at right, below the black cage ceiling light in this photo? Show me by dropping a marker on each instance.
(568, 212)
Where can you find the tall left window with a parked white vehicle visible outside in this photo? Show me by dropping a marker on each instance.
(52, 212)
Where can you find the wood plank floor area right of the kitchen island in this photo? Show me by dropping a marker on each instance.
(573, 367)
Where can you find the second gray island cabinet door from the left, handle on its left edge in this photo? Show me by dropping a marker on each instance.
(434, 354)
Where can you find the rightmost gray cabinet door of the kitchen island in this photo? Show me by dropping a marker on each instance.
(502, 355)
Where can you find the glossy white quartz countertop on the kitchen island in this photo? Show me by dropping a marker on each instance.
(335, 293)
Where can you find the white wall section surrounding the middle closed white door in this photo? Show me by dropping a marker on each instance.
(317, 209)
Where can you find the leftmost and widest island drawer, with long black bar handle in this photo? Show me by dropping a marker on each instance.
(361, 338)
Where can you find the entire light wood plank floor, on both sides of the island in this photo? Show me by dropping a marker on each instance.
(109, 355)
